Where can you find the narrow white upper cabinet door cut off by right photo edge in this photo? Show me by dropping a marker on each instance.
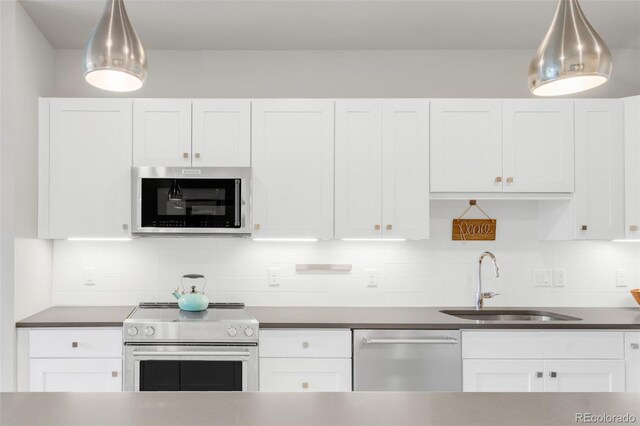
(632, 166)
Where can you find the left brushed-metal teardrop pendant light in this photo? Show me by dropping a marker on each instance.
(114, 58)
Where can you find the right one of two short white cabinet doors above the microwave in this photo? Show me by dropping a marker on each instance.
(221, 133)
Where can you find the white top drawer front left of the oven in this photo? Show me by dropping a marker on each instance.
(75, 343)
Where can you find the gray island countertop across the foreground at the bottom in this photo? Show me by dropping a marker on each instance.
(349, 408)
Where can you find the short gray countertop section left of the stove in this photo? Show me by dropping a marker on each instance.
(78, 316)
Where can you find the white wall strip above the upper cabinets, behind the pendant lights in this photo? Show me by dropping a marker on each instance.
(282, 74)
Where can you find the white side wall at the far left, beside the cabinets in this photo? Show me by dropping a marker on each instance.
(26, 263)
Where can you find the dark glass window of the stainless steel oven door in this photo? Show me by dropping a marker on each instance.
(191, 375)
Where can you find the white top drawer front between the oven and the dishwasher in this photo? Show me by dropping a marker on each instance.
(305, 343)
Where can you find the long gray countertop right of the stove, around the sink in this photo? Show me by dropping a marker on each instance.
(432, 318)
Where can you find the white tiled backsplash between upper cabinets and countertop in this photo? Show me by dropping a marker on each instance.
(423, 273)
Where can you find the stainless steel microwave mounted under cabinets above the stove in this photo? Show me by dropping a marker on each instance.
(182, 201)
